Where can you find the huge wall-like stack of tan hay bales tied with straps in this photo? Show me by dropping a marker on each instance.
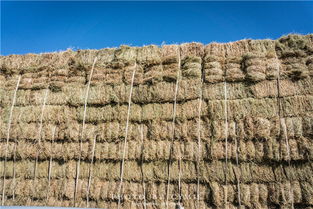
(269, 127)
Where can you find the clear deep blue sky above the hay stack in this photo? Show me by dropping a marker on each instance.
(43, 26)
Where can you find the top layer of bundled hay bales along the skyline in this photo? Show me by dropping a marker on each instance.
(253, 60)
